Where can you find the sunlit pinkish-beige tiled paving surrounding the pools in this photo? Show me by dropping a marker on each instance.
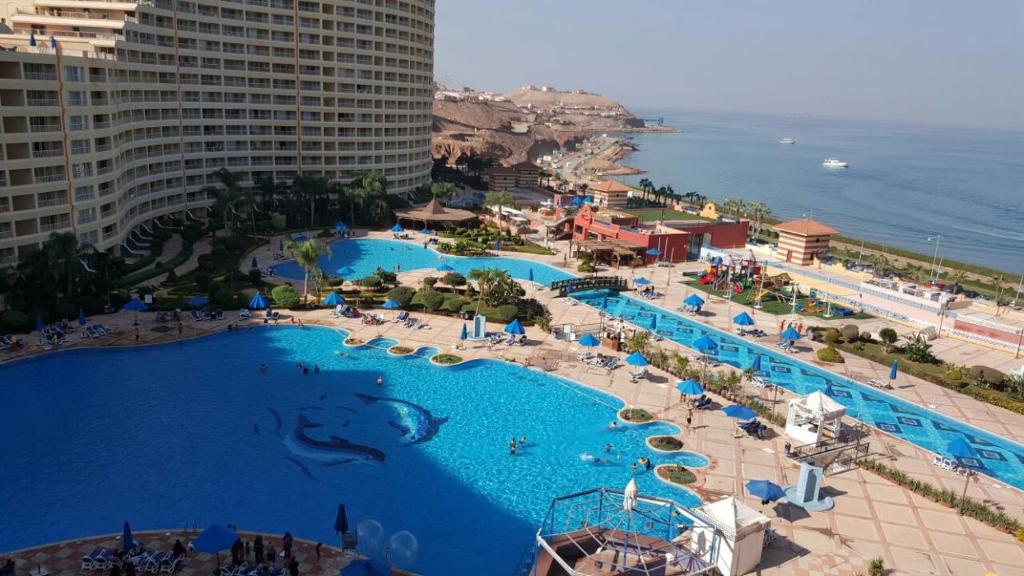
(873, 518)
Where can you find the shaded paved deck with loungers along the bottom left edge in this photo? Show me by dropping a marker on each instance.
(64, 559)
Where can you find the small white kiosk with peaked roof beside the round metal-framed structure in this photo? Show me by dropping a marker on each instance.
(738, 530)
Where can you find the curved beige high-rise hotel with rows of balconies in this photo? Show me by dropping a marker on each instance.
(114, 114)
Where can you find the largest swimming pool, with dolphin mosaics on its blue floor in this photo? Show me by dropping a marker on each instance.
(193, 434)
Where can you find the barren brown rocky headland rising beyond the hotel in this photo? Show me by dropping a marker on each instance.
(524, 125)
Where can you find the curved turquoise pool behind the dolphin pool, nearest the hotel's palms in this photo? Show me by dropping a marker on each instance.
(364, 256)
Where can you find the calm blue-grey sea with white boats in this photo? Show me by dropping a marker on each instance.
(908, 186)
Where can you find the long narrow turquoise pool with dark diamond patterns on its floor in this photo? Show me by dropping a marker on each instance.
(996, 457)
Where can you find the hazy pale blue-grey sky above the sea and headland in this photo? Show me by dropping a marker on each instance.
(938, 62)
